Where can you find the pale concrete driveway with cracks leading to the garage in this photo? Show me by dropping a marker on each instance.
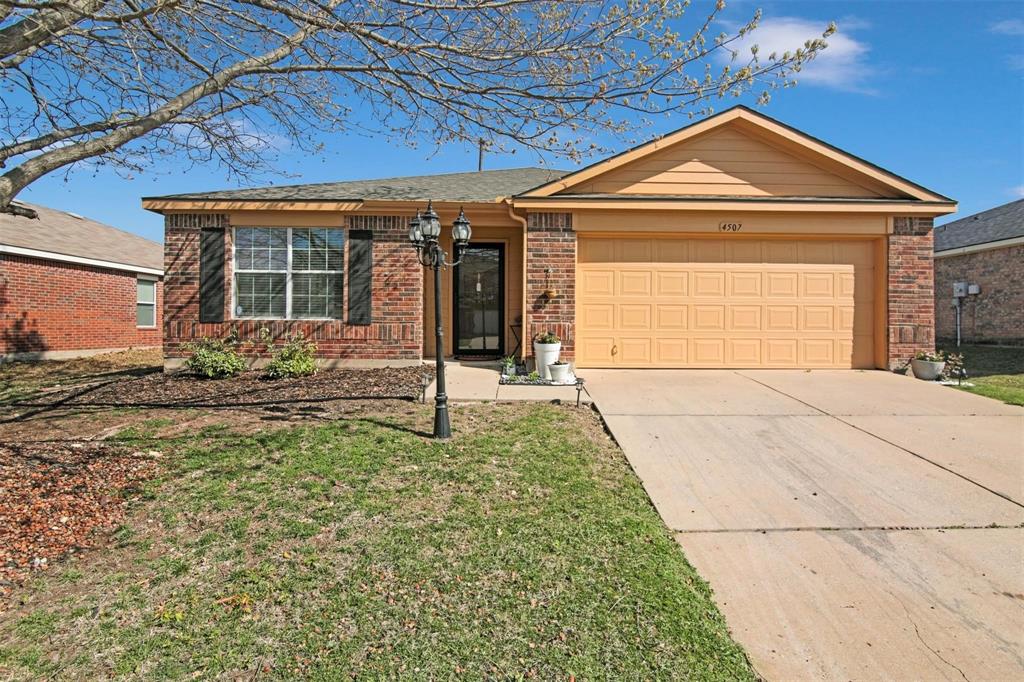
(854, 525)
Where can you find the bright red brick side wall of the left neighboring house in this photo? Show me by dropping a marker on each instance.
(55, 307)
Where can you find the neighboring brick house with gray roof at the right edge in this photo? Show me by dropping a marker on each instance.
(986, 250)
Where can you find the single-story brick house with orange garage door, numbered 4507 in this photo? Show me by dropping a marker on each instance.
(736, 242)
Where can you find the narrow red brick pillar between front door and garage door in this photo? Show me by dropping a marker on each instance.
(551, 249)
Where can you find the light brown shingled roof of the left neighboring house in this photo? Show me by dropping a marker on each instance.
(58, 232)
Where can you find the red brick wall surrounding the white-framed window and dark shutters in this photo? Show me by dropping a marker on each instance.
(397, 330)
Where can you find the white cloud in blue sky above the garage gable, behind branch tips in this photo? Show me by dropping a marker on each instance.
(842, 66)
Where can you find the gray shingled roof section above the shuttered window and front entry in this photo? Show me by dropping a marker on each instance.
(477, 187)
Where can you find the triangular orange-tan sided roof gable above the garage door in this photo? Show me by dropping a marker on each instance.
(739, 153)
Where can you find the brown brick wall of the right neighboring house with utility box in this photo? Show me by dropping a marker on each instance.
(997, 315)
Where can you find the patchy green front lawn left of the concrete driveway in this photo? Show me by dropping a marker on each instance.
(358, 548)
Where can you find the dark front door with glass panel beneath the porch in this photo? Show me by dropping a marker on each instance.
(480, 302)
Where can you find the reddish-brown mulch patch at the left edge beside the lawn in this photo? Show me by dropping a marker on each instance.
(59, 498)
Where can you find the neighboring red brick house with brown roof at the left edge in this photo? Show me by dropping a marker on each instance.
(71, 287)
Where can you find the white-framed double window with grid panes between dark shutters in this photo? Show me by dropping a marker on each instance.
(294, 273)
